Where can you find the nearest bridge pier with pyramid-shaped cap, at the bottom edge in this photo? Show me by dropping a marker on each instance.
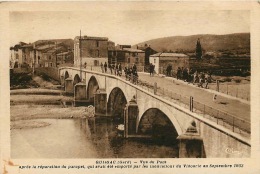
(191, 144)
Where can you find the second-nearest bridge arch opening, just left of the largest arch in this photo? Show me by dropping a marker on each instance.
(116, 103)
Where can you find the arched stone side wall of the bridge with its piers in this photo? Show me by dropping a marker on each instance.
(146, 114)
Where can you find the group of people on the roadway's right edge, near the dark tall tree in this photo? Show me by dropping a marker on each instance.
(202, 79)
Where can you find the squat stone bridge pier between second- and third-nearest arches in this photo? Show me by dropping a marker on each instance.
(100, 102)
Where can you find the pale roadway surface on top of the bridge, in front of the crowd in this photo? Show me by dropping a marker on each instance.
(227, 104)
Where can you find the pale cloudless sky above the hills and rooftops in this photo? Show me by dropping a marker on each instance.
(124, 26)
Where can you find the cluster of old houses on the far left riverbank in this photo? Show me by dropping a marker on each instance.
(42, 53)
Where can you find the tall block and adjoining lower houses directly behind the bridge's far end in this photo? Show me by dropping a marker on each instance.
(96, 50)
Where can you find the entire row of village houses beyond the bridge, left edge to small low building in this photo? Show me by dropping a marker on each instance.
(90, 51)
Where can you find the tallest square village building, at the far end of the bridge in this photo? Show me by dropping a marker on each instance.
(91, 50)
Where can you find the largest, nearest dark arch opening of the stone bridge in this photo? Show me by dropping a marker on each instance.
(156, 123)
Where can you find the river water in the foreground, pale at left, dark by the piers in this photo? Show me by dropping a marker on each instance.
(84, 138)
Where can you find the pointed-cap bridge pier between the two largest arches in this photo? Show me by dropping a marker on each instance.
(131, 118)
